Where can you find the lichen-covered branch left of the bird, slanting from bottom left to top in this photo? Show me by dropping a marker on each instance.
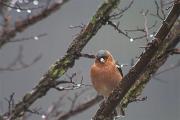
(63, 64)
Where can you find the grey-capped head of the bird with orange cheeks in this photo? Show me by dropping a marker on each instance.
(103, 56)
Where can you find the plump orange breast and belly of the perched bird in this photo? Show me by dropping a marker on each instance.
(105, 78)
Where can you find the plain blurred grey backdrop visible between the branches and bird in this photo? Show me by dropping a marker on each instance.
(163, 91)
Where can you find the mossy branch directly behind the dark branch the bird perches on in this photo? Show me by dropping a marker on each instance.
(157, 61)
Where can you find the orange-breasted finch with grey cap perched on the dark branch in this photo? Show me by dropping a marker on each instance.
(105, 75)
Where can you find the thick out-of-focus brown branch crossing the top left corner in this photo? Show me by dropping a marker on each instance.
(6, 33)
